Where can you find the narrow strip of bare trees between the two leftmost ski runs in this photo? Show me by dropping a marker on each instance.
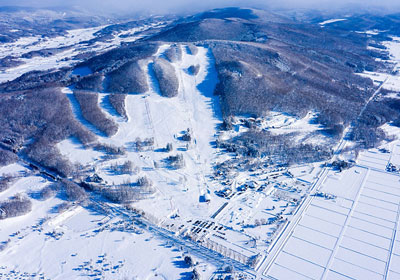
(88, 102)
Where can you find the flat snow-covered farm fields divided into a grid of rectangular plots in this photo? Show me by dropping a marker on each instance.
(351, 236)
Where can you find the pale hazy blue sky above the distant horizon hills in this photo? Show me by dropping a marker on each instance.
(178, 6)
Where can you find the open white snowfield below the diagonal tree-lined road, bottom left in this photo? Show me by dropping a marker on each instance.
(81, 244)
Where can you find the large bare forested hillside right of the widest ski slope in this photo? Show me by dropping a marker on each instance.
(255, 80)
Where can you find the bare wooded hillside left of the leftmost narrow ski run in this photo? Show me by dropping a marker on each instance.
(35, 121)
